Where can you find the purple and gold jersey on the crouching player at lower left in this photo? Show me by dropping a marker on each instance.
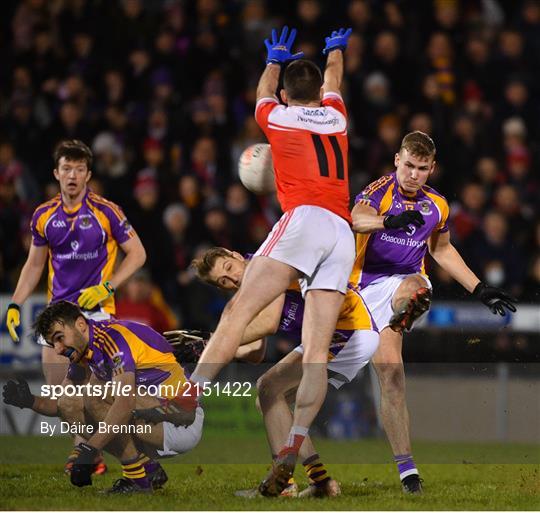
(118, 346)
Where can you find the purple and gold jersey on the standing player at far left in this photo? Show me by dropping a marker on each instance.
(83, 244)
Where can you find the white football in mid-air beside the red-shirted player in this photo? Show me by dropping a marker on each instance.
(256, 169)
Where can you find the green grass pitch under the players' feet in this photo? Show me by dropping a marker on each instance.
(457, 477)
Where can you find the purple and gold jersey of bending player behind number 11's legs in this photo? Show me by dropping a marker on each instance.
(354, 315)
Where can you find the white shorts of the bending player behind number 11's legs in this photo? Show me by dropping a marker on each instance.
(357, 352)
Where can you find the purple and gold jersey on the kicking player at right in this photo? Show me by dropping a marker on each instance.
(388, 252)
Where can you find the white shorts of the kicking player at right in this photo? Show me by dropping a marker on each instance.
(378, 297)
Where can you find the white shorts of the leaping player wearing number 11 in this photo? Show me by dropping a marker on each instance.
(317, 242)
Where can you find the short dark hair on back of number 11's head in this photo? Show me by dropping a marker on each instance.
(302, 81)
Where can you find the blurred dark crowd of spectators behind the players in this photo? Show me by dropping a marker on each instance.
(164, 91)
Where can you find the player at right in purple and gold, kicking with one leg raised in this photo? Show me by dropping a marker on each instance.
(398, 219)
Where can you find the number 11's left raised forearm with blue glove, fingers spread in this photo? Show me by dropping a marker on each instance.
(279, 53)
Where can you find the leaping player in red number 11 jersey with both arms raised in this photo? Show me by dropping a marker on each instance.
(311, 242)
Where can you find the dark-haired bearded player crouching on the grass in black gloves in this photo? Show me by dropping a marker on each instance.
(125, 364)
